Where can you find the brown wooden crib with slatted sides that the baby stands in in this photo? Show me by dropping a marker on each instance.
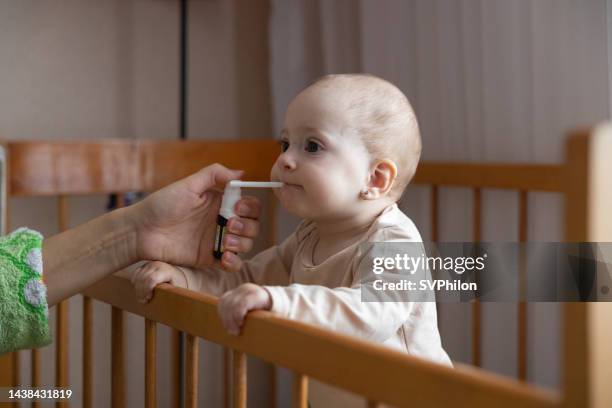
(380, 375)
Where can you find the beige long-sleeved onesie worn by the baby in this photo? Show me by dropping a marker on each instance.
(329, 295)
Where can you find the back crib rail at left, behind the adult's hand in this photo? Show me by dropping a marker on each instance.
(40, 168)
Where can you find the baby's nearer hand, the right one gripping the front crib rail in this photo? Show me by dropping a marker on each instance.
(235, 304)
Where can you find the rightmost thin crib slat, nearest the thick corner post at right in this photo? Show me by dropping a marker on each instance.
(522, 307)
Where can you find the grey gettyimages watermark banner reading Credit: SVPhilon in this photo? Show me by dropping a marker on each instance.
(490, 271)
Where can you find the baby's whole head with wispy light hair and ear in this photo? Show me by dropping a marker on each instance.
(349, 142)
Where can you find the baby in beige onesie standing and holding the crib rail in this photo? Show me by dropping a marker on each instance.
(349, 147)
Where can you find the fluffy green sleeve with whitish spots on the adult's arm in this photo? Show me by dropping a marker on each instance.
(24, 316)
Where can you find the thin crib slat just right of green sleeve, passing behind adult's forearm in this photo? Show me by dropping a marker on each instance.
(61, 341)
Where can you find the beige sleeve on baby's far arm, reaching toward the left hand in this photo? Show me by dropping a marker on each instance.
(271, 266)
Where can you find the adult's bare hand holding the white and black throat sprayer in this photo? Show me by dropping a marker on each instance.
(177, 224)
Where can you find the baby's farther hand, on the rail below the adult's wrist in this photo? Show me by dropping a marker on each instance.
(151, 274)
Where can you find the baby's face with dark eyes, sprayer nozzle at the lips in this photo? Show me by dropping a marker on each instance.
(323, 161)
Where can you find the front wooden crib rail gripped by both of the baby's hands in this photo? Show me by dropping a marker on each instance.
(373, 371)
